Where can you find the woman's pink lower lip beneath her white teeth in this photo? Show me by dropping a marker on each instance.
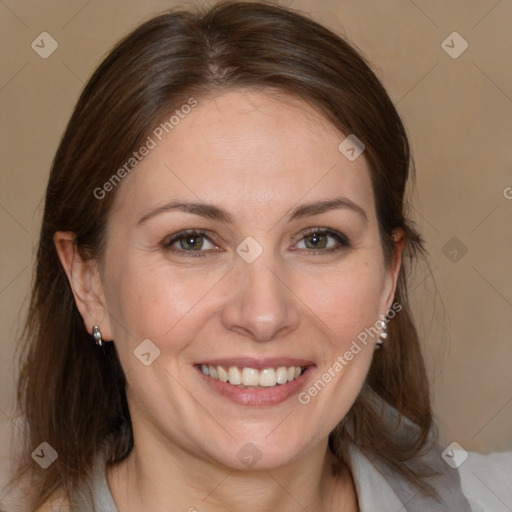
(257, 397)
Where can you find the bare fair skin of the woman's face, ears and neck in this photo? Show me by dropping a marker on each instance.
(257, 156)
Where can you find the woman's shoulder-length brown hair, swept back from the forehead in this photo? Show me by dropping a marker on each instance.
(71, 393)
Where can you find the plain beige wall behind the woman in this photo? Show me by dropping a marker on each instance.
(457, 111)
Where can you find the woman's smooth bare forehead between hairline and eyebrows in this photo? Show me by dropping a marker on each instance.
(251, 150)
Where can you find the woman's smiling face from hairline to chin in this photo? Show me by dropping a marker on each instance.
(280, 267)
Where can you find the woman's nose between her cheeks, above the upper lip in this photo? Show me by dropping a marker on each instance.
(260, 304)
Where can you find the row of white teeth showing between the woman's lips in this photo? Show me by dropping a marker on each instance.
(268, 377)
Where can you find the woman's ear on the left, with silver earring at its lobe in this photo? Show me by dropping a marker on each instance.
(85, 281)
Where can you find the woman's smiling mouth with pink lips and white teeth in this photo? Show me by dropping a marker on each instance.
(255, 382)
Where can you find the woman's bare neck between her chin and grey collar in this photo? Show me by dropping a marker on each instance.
(153, 476)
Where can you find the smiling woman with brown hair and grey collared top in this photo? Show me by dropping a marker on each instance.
(220, 312)
